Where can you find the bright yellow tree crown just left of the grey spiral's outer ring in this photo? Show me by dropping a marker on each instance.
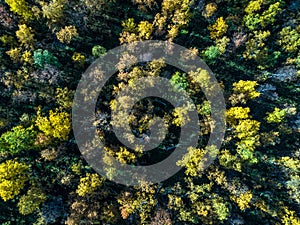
(57, 125)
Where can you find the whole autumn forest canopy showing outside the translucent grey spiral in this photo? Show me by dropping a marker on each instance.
(251, 46)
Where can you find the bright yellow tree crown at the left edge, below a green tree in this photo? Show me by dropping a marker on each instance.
(13, 176)
